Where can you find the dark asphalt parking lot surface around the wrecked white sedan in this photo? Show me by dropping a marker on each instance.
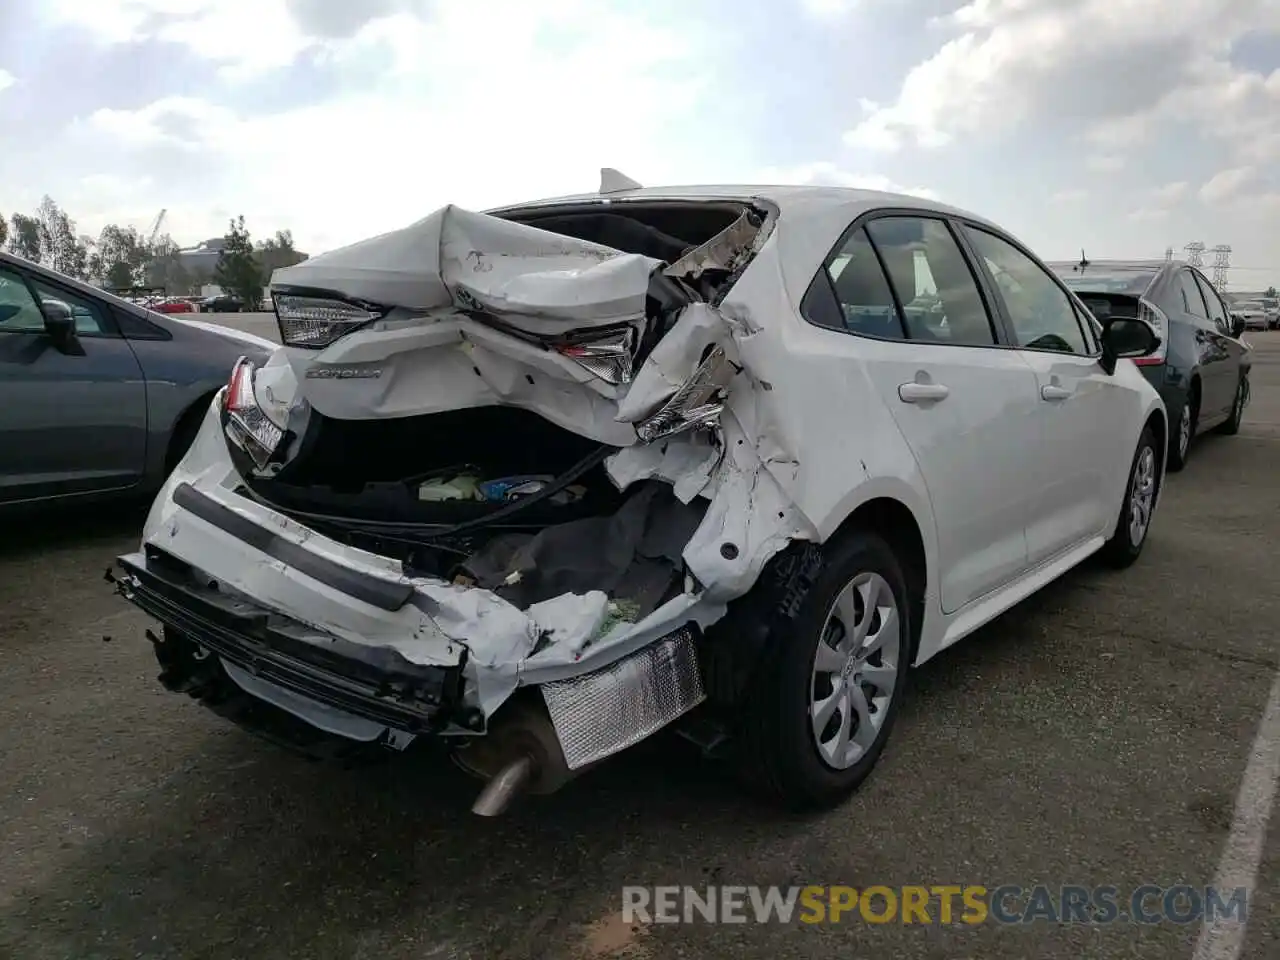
(1095, 735)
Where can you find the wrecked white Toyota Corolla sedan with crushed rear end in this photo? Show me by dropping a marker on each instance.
(542, 482)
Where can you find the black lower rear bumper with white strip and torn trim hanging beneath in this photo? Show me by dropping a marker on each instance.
(362, 693)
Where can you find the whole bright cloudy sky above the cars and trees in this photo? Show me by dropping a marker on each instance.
(1118, 126)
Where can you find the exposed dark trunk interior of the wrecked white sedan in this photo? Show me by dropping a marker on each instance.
(493, 497)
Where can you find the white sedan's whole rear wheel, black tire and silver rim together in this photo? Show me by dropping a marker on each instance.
(831, 680)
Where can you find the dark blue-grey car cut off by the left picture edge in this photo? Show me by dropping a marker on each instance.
(99, 396)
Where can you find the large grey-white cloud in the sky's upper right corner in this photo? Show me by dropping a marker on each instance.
(1101, 67)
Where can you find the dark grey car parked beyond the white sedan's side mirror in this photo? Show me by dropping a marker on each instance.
(1201, 368)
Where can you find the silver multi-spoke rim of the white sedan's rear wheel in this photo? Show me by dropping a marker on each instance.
(856, 670)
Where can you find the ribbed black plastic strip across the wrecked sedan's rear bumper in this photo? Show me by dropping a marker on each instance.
(373, 683)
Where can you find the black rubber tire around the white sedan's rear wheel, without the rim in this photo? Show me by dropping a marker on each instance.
(779, 755)
